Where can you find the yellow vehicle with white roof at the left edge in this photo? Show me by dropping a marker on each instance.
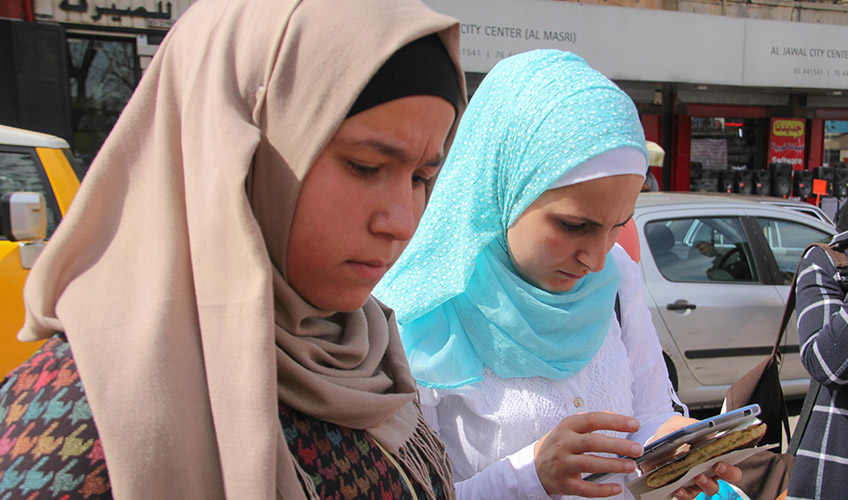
(31, 163)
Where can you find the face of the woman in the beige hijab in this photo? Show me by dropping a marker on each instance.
(362, 199)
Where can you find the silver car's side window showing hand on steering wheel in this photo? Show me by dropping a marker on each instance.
(701, 249)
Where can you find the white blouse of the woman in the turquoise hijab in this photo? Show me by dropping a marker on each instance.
(490, 427)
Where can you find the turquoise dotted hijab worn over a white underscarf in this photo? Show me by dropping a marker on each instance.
(459, 301)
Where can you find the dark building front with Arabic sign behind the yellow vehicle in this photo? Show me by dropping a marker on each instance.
(93, 50)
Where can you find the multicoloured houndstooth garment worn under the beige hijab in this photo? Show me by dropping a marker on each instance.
(50, 449)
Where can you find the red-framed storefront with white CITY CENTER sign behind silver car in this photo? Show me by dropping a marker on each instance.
(721, 95)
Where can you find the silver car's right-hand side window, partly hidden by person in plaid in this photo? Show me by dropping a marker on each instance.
(787, 241)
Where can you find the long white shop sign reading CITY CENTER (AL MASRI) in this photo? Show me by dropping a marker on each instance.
(654, 45)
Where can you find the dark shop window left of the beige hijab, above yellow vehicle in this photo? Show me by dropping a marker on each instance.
(103, 75)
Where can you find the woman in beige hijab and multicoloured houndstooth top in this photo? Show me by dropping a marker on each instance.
(213, 277)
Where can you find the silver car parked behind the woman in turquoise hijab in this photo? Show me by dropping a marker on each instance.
(717, 270)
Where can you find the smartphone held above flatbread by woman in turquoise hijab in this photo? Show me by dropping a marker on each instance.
(663, 449)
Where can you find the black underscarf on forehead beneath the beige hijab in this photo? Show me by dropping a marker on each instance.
(421, 67)
